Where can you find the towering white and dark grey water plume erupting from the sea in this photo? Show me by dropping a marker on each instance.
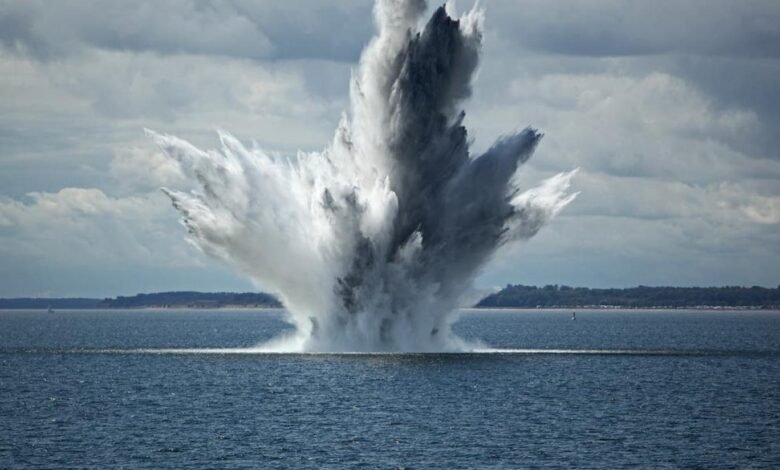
(371, 243)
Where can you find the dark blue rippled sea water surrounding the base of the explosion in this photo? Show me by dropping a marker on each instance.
(667, 390)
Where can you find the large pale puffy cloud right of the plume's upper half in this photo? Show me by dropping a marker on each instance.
(655, 125)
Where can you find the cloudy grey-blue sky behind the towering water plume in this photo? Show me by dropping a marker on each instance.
(670, 109)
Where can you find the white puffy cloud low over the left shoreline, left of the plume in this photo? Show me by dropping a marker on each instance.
(86, 227)
